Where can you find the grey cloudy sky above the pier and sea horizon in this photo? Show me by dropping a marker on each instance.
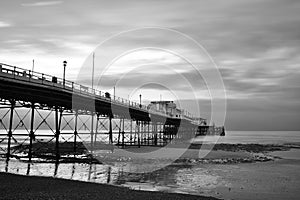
(255, 46)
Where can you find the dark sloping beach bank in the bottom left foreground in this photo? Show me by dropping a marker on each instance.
(31, 187)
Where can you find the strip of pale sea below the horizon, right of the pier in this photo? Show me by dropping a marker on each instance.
(258, 137)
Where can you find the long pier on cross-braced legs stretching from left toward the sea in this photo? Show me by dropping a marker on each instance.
(42, 113)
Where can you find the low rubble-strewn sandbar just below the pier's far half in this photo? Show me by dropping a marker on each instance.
(196, 153)
